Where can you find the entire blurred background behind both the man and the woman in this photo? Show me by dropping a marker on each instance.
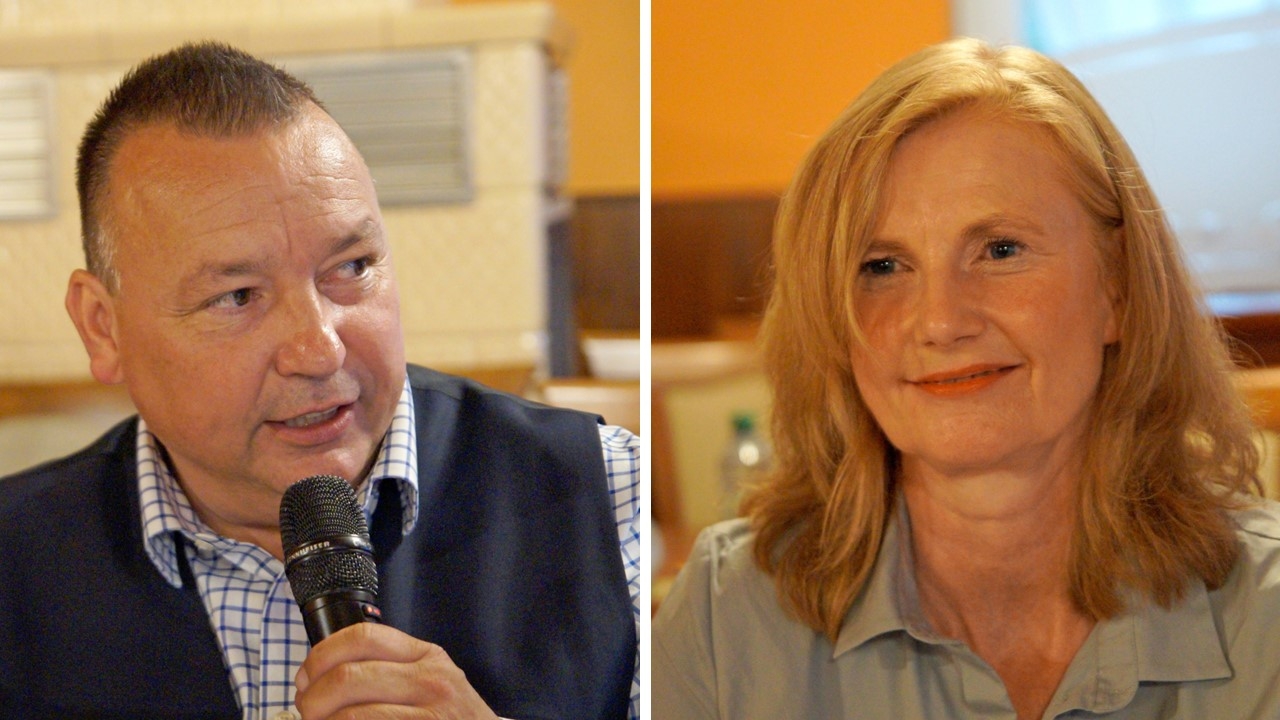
(513, 186)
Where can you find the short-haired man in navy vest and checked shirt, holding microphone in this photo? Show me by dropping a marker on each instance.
(240, 285)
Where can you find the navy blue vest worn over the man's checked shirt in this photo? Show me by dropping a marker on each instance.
(514, 569)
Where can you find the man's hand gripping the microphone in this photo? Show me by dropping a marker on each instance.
(371, 671)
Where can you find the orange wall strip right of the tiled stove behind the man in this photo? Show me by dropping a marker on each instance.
(604, 67)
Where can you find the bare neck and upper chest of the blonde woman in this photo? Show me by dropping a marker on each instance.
(991, 557)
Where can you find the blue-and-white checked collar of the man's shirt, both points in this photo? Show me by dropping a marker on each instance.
(167, 511)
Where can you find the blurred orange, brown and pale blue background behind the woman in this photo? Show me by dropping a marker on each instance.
(740, 92)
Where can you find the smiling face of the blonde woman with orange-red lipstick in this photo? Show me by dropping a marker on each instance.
(982, 302)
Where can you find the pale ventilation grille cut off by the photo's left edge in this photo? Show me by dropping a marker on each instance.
(26, 168)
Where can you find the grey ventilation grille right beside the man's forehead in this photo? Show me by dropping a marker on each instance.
(408, 115)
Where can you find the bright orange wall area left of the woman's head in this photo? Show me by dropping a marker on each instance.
(742, 89)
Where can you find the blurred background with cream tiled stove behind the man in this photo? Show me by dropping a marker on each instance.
(504, 139)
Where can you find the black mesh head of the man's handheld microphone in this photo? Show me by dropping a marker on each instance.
(326, 540)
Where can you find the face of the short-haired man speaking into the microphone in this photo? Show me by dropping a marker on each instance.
(258, 322)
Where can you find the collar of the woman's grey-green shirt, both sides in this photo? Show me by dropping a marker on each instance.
(1146, 644)
